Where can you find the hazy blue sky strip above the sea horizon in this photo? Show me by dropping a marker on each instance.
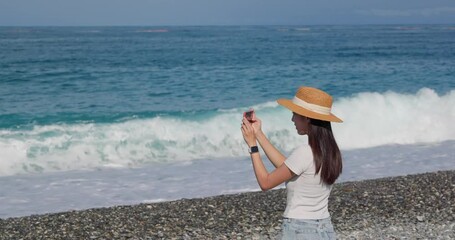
(223, 12)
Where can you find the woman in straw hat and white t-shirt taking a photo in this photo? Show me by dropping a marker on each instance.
(310, 170)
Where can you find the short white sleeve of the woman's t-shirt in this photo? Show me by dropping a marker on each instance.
(300, 159)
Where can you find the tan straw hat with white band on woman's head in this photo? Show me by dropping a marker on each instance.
(311, 102)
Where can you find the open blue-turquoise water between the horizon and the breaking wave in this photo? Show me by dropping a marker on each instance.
(105, 74)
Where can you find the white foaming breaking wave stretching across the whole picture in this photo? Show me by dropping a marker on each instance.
(371, 119)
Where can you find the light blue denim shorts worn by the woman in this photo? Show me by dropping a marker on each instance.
(308, 229)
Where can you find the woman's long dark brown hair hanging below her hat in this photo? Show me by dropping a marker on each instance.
(327, 156)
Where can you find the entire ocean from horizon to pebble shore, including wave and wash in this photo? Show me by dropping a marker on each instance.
(102, 116)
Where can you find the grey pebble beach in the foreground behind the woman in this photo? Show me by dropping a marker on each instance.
(418, 206)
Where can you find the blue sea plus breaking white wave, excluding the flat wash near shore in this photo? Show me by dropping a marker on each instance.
(87, 97)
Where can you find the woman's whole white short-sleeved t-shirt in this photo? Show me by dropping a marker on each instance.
(307, 195)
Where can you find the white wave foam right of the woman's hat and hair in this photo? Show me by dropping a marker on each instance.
(374, 119)
